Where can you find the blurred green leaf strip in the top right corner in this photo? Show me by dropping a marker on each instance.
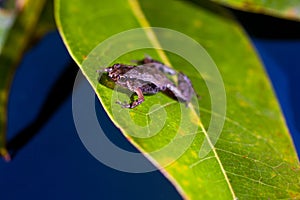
(285, 9)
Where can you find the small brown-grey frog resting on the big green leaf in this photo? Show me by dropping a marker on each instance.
(149, 76)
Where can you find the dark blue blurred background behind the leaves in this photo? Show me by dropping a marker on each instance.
(50, 161)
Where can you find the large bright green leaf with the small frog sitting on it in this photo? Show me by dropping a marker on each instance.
(253, 157)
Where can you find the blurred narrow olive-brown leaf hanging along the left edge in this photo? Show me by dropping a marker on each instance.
(19, 38)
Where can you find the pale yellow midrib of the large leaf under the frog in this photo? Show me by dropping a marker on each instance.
(142, 20)
